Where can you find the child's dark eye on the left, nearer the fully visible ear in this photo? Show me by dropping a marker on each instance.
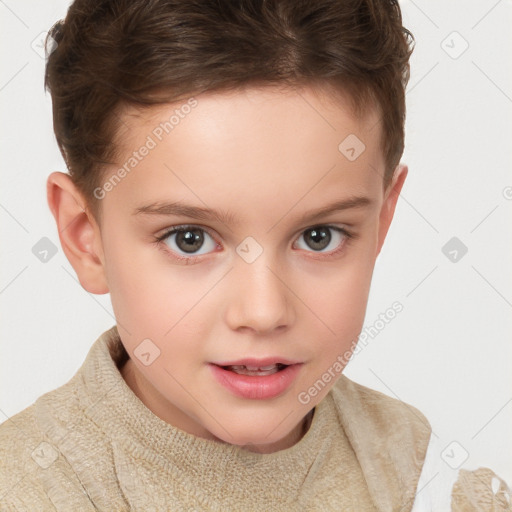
(186, 241)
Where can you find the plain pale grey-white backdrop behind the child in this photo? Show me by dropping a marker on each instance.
(448, 352)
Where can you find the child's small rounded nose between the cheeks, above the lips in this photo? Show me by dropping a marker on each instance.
(261, 299)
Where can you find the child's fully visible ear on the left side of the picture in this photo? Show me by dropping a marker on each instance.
(79, 234)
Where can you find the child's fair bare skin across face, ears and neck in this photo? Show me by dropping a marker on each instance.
(268, 155)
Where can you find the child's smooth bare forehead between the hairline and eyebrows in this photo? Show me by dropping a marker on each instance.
(266, 141)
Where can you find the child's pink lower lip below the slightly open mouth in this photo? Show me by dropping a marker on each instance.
(258, 387)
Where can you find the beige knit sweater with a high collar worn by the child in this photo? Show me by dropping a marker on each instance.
(93, 445)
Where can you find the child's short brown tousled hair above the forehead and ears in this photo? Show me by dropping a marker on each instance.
(112, 53)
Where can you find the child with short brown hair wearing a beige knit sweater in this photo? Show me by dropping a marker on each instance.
(234, 170)
